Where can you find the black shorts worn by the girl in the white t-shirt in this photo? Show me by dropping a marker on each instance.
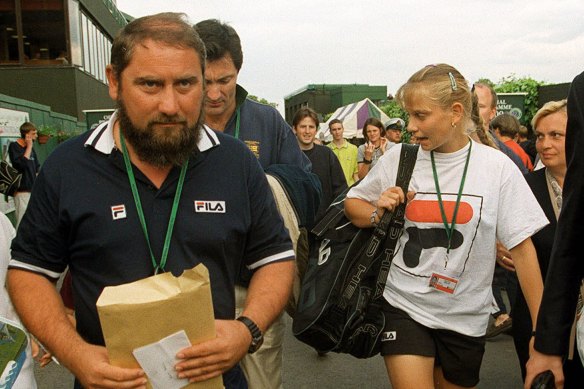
(458, 355)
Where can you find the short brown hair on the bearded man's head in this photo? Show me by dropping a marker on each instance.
(169, 28)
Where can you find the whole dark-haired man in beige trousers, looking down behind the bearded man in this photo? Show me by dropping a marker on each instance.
(269, 137)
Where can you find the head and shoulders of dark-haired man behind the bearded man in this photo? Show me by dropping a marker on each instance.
(228, 109)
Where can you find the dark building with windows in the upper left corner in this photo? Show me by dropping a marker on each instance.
(54, 52)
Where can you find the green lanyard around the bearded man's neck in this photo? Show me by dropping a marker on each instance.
(132, 179)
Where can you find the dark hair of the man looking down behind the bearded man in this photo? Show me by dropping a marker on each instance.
(220, 39)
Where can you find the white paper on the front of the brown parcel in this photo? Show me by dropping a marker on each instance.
(158, 361)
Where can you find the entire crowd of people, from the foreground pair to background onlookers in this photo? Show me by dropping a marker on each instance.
(185, 133)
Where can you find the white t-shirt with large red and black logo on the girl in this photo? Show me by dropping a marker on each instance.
(496, 203)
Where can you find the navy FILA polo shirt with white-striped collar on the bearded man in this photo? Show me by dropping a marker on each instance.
(82, 215)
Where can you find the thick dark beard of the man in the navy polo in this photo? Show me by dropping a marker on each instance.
(158, 148)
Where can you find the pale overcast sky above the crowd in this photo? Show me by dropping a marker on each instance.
(288, 44)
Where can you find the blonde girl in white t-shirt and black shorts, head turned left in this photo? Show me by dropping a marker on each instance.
(438, 290)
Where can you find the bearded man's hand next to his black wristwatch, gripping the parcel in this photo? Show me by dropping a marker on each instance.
(214, 357)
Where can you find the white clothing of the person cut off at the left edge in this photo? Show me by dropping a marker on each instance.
(25, 378)
